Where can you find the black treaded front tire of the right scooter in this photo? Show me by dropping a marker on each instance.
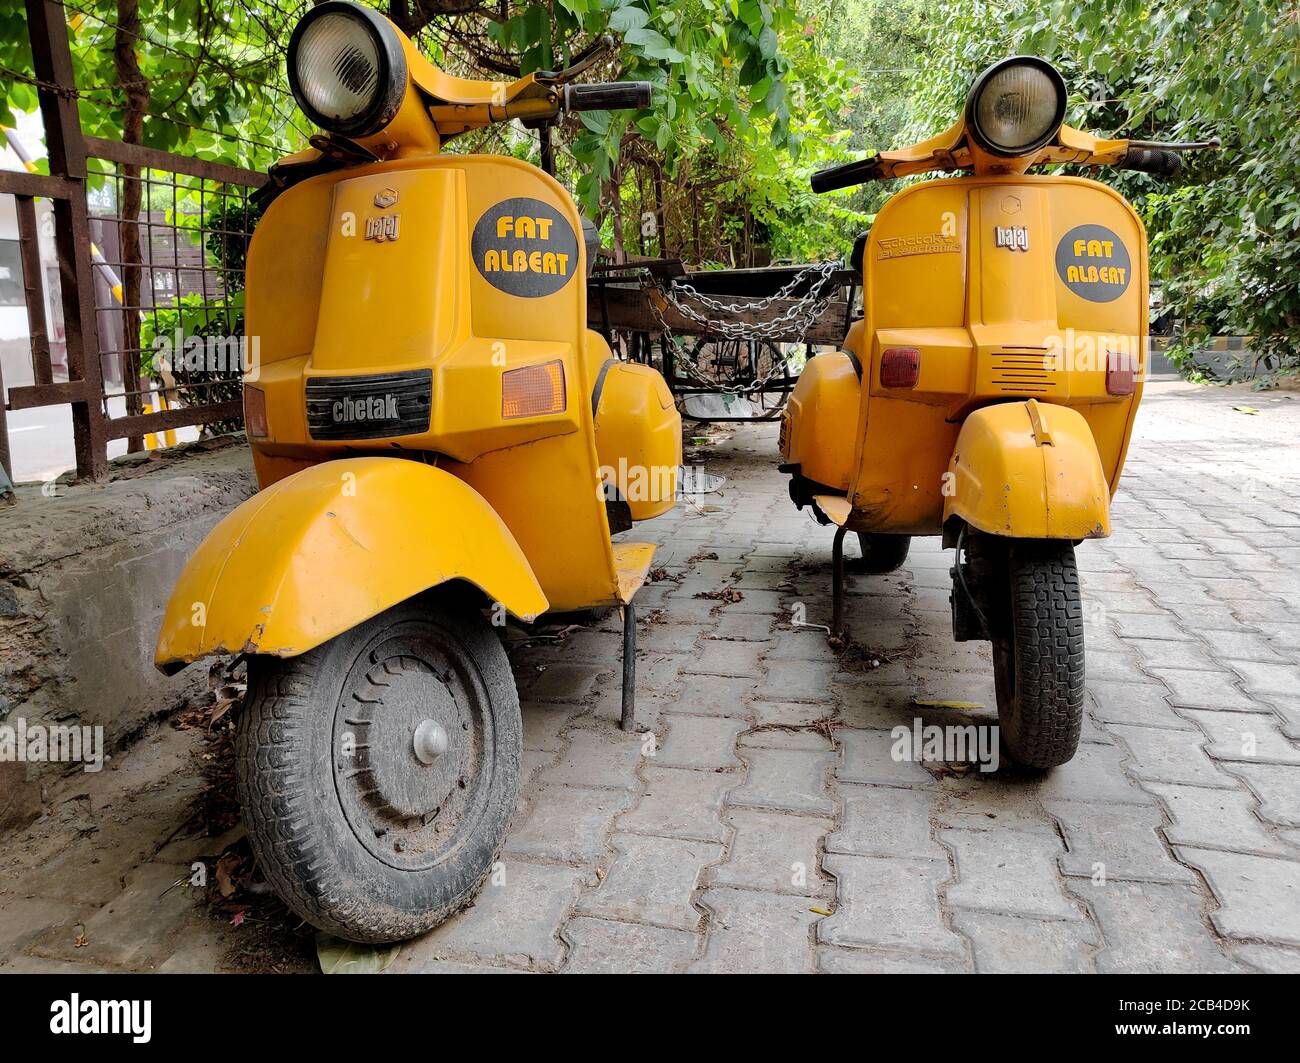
(1038, 656)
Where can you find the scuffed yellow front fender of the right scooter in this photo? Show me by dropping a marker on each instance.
(1029, 471)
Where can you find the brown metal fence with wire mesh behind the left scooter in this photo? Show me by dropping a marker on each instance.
(150, 249)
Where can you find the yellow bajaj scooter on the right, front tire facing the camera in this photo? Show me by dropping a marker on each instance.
(990, 391)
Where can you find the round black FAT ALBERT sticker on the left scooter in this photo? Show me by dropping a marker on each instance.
(525, 248)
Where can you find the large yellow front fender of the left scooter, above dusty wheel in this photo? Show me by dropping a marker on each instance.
(331, 546)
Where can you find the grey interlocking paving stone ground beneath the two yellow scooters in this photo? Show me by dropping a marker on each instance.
(760, 823)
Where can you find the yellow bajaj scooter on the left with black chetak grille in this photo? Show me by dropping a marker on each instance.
(437, 436)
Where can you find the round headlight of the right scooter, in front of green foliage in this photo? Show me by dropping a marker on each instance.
(1016, 107)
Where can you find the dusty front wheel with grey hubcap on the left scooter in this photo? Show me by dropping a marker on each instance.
(359, 838)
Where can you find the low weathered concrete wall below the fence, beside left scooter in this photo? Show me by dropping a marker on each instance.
(84, 580)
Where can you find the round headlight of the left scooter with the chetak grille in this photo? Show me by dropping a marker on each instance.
(346, 68)
